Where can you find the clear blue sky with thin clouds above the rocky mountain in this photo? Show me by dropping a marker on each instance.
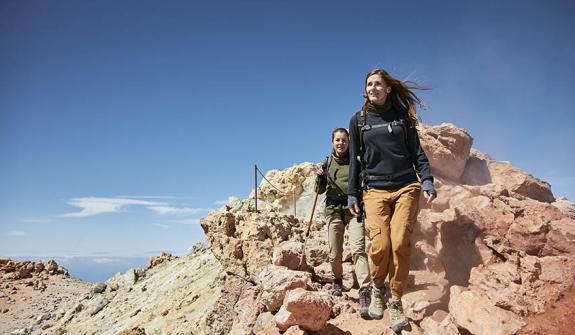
(123, 122)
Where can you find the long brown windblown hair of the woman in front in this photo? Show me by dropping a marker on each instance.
(401, 95)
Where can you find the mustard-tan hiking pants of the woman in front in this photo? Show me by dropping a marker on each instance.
(390, 217)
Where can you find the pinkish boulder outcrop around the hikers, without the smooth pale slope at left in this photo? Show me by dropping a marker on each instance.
(495, 243)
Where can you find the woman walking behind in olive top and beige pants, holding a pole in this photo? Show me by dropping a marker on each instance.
(332, 178)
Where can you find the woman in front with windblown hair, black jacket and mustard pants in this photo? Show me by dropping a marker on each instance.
(388, 170)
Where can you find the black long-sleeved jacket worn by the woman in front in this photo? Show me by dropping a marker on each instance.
(386, 153)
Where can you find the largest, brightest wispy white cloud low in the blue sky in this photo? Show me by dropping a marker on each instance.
(94, 206)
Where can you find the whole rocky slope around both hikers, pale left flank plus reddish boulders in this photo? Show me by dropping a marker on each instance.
(494, 254)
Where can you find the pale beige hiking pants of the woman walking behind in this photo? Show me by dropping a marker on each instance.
(356, 232)
